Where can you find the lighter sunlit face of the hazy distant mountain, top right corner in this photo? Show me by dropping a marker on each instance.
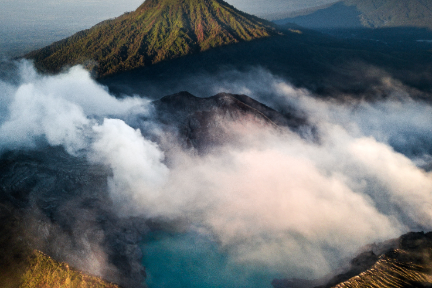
(394, 13)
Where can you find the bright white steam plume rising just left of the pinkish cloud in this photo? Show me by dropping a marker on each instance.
(136, 163)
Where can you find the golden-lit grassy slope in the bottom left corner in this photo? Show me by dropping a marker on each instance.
(23, 267)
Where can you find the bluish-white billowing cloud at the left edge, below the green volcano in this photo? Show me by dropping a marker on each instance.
(59, 109)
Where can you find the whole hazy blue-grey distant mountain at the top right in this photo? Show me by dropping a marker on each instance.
(367, 13)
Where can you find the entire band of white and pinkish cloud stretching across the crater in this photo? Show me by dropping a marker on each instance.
(274, 198)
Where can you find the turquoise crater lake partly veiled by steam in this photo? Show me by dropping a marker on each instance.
(193, 260)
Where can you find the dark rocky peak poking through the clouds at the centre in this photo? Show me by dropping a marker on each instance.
(201, 122)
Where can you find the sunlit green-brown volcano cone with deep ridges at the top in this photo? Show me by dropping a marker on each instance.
(158, 30)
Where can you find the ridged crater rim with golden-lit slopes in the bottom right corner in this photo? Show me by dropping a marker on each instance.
(402, 262)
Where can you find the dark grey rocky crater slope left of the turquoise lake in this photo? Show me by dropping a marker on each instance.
(60, 205)
